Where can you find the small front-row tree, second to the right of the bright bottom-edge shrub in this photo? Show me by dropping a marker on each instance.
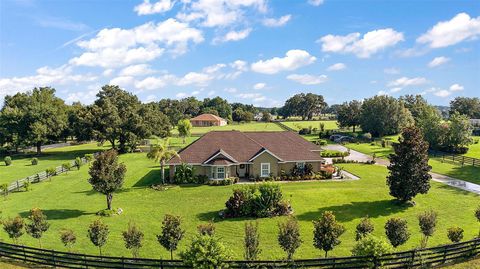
(289, 236)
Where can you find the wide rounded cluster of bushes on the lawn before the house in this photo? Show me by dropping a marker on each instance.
(264, 200)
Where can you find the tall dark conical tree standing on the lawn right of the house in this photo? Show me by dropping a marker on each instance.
(409, 166)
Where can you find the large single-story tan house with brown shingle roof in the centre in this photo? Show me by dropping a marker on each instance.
(223, 154)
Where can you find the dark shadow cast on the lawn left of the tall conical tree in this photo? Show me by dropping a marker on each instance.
(357, 210)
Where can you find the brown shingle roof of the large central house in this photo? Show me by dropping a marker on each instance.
(243, 146)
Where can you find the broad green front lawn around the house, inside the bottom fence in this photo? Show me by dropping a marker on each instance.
(69, 202)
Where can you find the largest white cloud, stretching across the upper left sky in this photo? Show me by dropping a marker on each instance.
(114, 47)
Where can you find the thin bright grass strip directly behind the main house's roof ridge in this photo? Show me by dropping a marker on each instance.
(251, 126)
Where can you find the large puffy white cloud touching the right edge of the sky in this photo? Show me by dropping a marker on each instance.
(447, 33)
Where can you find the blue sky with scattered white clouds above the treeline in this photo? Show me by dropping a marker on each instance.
(251, 51)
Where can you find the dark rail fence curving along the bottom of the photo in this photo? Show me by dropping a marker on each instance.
(429, 257)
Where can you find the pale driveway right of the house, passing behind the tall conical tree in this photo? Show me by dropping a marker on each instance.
(450, 181)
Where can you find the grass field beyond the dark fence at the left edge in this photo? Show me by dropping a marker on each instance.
(22, 167)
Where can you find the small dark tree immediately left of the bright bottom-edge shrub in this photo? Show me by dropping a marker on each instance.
(172, 233)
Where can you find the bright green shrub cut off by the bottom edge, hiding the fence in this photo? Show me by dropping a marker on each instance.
(205, 252)
